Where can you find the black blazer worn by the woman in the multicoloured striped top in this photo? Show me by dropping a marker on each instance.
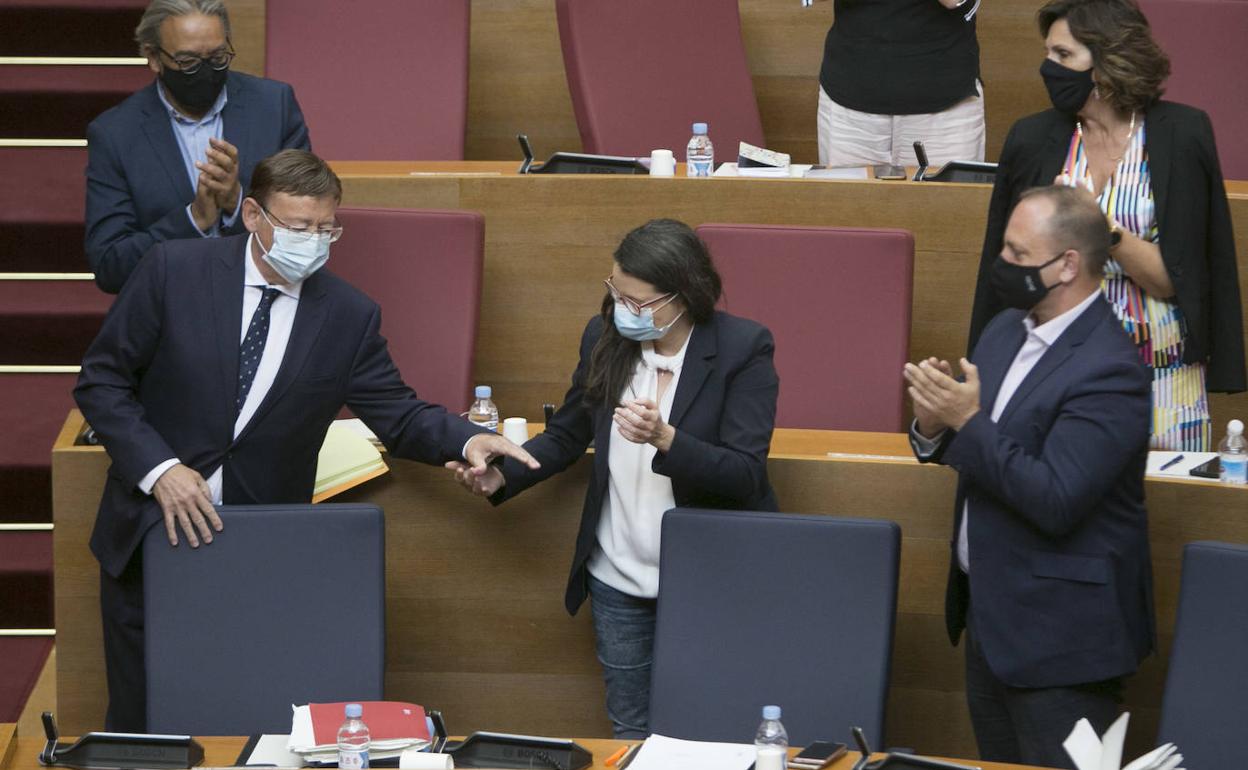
(1192, 214)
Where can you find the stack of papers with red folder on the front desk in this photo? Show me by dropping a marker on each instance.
(392, 727)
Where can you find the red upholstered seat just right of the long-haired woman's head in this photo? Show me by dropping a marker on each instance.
(838, 301)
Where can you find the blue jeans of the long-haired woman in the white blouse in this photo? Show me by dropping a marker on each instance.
(625, 637)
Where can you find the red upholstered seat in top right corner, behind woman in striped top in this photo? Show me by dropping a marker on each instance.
(1205, 41)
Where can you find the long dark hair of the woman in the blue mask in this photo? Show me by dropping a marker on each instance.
(670, 256)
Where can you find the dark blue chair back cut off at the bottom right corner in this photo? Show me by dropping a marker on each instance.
(1204, 704)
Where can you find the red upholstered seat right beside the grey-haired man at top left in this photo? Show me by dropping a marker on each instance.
(383, 80)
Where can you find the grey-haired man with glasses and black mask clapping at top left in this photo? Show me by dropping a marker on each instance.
(172, 162)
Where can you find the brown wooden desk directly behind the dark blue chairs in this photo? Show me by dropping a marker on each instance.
(475, 595)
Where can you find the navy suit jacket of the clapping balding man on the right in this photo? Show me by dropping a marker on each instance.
(1060, 571)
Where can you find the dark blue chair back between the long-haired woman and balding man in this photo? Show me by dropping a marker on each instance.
(773, 608)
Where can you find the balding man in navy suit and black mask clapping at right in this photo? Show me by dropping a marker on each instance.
(1050, 576)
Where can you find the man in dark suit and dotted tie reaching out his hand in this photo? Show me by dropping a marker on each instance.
(215, 379)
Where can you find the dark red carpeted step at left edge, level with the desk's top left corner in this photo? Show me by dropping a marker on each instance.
(33, 409)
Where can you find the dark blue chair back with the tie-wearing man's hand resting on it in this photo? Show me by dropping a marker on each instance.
(288, 606)
